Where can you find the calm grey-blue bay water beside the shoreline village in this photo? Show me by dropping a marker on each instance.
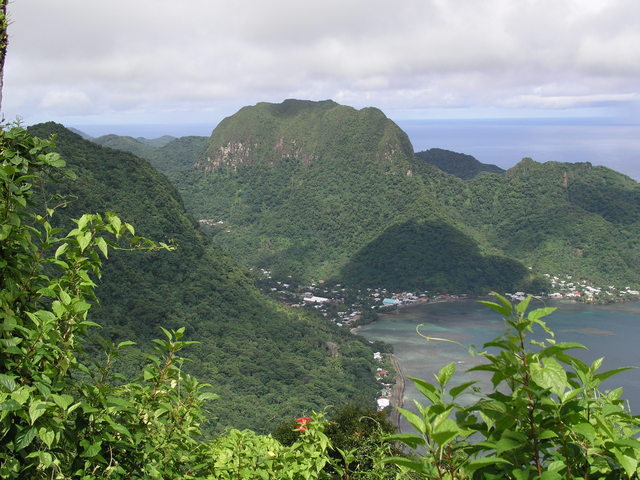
(610, 331)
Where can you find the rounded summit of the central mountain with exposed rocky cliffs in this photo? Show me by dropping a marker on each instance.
(307, 131)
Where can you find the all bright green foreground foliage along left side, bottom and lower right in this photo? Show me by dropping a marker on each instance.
(545, 418)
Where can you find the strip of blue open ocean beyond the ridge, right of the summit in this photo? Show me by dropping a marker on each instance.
(506, 142)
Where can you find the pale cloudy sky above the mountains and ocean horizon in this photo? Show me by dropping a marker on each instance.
(156, 66)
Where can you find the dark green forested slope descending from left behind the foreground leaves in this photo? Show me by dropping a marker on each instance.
(267, 362)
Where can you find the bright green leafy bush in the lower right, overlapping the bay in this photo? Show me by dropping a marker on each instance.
(545, 417)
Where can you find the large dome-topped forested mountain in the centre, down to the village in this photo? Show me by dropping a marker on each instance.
(312, 189)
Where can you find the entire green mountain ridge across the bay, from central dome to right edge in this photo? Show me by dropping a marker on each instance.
(321, 191)
